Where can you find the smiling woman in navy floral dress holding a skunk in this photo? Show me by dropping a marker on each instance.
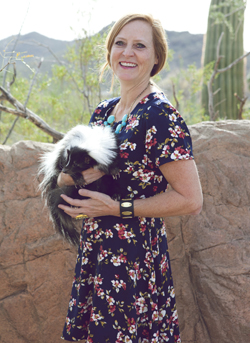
(123, 289)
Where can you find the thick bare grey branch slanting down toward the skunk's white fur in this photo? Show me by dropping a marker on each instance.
(23, 112)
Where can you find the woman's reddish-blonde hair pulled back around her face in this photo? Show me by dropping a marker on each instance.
(159, 40)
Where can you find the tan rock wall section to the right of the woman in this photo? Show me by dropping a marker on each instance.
(210, 252)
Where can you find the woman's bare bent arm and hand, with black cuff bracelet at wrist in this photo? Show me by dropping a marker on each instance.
(185, 197)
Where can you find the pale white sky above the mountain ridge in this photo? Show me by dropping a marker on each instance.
(65, 20)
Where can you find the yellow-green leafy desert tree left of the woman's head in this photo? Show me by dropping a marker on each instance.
(67, 98)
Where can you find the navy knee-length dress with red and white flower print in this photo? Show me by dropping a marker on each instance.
(123, 288)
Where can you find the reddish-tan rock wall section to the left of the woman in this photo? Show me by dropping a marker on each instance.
(36, 265)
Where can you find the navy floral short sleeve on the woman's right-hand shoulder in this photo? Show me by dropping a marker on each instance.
(167, 136)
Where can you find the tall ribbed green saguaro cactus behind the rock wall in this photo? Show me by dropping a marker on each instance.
(225, 17)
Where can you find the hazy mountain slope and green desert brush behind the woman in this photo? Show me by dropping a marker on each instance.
(67, 89)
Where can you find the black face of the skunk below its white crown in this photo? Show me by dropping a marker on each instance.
(77, 160)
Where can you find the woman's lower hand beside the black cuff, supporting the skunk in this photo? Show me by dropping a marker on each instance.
(97, 205)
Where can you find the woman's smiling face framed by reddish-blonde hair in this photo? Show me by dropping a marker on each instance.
(132, 55)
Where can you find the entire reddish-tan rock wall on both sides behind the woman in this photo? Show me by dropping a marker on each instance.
(210, 253)
